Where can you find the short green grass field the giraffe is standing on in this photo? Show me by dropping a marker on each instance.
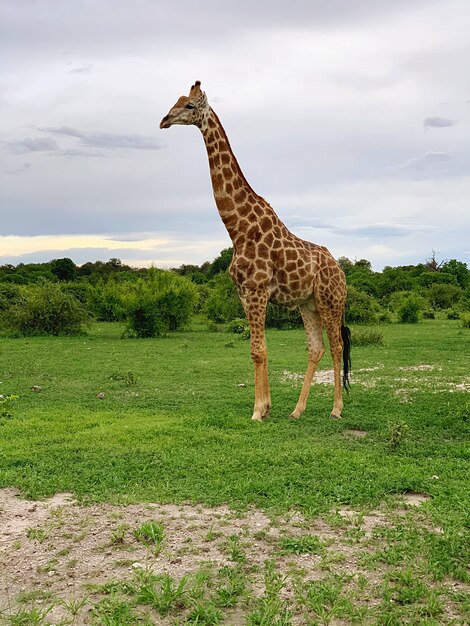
(173, 427)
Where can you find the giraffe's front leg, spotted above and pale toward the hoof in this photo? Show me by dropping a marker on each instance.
(255, 309)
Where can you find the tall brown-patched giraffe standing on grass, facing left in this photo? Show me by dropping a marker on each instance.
(270, 263)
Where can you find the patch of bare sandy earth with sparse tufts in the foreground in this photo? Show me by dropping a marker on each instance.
(58, 551)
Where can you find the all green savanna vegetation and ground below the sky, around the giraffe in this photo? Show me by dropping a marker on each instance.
(145, 400)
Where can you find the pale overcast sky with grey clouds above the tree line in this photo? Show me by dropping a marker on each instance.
(352, 119)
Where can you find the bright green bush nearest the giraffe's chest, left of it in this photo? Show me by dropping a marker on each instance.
(163, 302)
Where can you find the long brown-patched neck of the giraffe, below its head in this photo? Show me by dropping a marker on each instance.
(235, 199)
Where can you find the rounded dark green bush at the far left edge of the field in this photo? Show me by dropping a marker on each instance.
(46, 310)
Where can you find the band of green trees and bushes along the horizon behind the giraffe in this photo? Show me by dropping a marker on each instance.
(59, 297)
